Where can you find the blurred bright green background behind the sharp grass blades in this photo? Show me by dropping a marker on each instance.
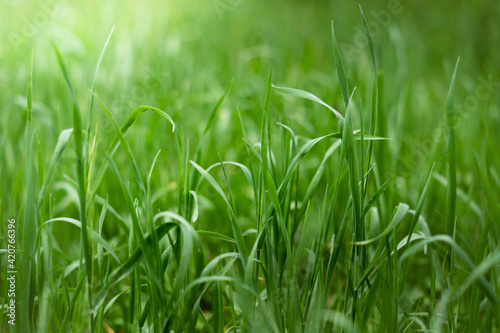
(179, 56)
